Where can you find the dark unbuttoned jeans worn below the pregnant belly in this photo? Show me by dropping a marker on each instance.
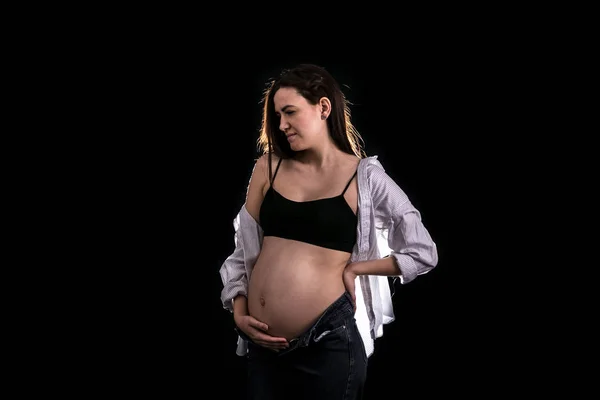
(327, 362)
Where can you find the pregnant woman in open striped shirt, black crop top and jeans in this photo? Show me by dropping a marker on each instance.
(307, 281)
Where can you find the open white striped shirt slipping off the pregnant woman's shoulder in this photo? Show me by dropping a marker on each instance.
(388, 224)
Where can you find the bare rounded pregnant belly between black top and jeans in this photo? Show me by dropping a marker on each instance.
(293, 283)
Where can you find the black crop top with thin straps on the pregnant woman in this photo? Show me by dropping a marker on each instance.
(328, 222)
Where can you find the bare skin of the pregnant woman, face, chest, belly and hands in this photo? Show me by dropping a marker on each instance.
(294, 282)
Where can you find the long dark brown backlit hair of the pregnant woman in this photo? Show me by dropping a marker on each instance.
(312, 82)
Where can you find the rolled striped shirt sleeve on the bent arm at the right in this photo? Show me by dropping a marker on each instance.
(410, 243)
